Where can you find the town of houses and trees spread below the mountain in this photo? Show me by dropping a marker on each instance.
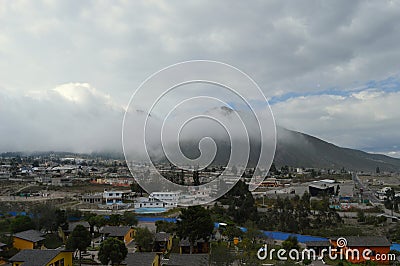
(76, 209)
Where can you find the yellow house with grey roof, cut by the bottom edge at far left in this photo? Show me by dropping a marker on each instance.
(47, 257)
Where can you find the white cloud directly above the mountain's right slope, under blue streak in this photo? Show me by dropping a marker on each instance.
(366, 120)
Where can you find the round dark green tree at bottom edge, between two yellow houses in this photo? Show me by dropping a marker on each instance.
(112, 250)
